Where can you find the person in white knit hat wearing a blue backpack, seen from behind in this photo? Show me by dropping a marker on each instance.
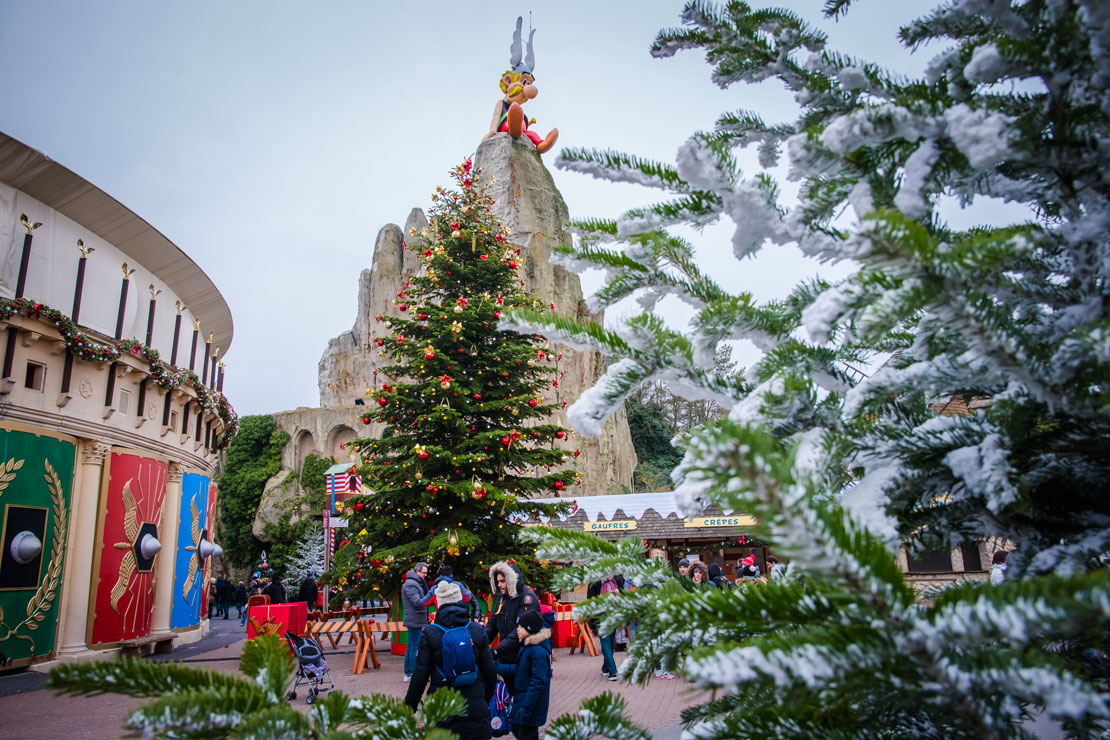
(455, 652)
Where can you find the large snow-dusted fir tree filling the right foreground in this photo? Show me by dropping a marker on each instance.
(842, 440)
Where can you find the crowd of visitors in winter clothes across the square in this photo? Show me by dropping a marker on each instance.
(511, 654)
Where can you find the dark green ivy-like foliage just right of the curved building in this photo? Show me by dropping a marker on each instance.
(254, 458)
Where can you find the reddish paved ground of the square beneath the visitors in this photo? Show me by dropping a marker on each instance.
(655, 707)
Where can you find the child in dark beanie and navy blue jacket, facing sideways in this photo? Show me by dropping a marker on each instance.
(533, 677)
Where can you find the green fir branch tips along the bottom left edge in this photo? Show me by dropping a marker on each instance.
(188, 703)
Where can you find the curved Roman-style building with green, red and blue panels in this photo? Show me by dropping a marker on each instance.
(112, 420)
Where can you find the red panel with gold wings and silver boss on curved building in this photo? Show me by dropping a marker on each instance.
(132, 510)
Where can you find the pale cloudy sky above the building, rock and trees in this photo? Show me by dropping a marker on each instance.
(273, 139)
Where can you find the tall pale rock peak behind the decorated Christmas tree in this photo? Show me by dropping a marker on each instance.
(532, 208)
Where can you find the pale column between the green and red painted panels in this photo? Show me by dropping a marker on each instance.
(80, 549)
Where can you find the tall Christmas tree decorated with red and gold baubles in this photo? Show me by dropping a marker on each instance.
(468, 440)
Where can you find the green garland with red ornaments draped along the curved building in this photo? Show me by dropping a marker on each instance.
(83, 347)
